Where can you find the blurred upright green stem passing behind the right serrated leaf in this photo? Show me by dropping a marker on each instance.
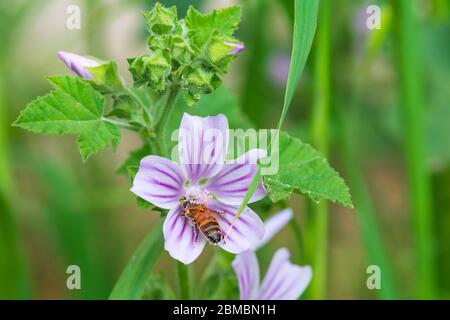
(319, 214)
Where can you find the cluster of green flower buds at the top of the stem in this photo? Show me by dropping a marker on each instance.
(192, 53)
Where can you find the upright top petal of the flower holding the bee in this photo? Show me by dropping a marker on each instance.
(203, 143)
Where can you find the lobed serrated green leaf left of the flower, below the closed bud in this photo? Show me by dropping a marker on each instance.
(73, 107)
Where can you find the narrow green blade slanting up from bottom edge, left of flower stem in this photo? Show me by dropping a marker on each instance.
(132, 282)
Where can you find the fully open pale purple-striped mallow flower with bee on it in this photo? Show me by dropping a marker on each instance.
(202, 176)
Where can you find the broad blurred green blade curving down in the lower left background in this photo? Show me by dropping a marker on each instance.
(73, 228)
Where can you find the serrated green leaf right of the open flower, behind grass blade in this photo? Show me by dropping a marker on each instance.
(303, 169)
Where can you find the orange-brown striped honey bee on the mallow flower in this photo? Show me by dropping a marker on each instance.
(203, 219)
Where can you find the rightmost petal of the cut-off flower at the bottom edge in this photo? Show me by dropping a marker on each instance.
(284, 280)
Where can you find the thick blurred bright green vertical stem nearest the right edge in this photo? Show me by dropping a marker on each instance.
(412, 108)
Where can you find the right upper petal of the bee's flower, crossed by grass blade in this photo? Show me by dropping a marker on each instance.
(231, 184)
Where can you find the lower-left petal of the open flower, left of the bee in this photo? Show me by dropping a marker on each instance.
(182, 240)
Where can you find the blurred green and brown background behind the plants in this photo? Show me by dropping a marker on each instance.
(375, 101)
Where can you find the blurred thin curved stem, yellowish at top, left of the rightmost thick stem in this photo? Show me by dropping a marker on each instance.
(349, 120)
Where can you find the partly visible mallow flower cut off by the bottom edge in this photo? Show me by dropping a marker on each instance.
(283, 280)
